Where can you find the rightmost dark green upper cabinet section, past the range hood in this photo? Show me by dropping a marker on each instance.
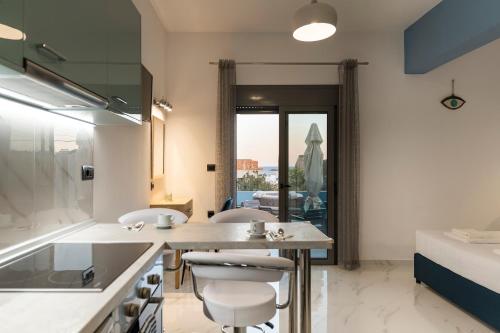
(124, 58)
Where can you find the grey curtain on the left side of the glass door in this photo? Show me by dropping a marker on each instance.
(225, 178)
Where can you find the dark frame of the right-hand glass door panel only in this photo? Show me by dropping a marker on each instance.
(332, 117)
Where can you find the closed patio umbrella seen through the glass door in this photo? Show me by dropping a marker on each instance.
(313, 168)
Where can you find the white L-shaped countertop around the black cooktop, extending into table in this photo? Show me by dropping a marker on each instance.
(58, 312)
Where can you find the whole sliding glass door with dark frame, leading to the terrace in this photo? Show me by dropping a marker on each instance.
(286, 155)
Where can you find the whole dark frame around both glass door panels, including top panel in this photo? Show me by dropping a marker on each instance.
(283, 99)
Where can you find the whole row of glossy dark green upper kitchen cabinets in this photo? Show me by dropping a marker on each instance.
(93, 43)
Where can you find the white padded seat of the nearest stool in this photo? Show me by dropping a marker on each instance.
(239, 303)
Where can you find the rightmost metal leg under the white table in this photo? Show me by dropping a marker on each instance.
(305, 291)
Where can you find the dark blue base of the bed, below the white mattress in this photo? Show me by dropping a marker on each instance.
(479, 301)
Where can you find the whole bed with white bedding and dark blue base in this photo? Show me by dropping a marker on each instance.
(465, 274)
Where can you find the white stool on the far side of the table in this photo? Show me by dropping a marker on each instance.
(244, 215)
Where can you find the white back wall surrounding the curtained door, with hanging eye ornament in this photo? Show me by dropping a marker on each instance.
(421, 165)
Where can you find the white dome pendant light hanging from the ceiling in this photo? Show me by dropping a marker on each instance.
(315, 21)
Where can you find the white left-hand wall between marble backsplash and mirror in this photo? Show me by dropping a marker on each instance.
(122, 153)
